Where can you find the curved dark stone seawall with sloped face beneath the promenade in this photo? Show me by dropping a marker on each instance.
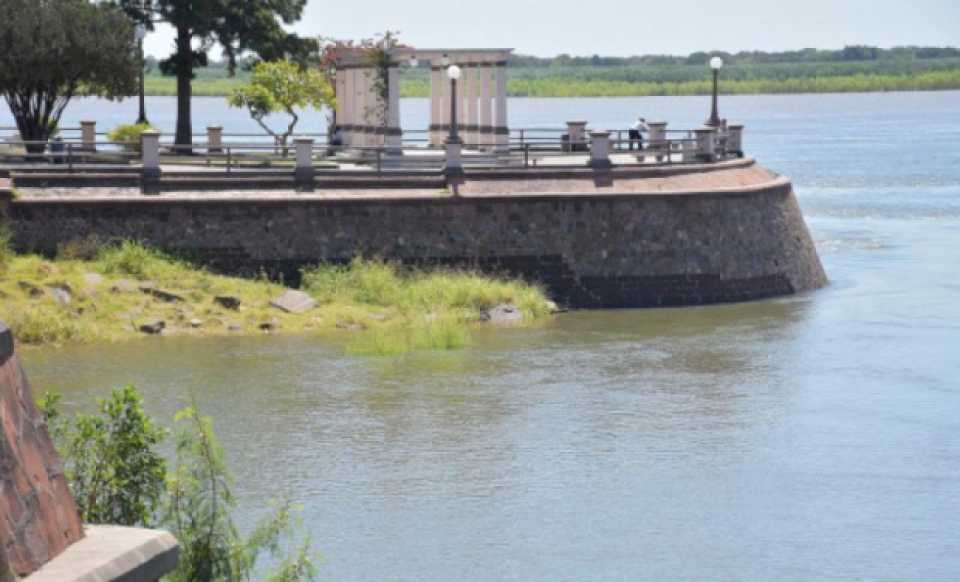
(685, 242)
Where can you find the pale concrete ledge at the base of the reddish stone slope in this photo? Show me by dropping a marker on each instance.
(112, 553)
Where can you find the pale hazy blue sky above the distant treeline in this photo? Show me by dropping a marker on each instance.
(630, 27)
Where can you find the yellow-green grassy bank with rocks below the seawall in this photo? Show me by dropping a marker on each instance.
(376, 308)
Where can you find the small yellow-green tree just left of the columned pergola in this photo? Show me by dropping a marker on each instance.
(282, 87)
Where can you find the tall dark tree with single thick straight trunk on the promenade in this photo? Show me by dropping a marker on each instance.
(237, 26)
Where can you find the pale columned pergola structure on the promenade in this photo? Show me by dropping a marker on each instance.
(481, 99)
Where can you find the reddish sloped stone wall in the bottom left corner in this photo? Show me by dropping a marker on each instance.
(38, 517)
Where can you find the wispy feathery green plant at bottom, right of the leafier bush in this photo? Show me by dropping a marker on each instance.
(198, 513)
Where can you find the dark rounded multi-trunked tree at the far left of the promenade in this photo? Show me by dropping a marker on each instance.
(54, 50)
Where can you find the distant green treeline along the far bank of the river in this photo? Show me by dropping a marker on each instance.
(852, 69)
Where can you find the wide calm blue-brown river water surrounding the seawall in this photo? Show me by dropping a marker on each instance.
(813, 437)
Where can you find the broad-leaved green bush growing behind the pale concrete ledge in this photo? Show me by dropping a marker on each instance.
(110, 459)
